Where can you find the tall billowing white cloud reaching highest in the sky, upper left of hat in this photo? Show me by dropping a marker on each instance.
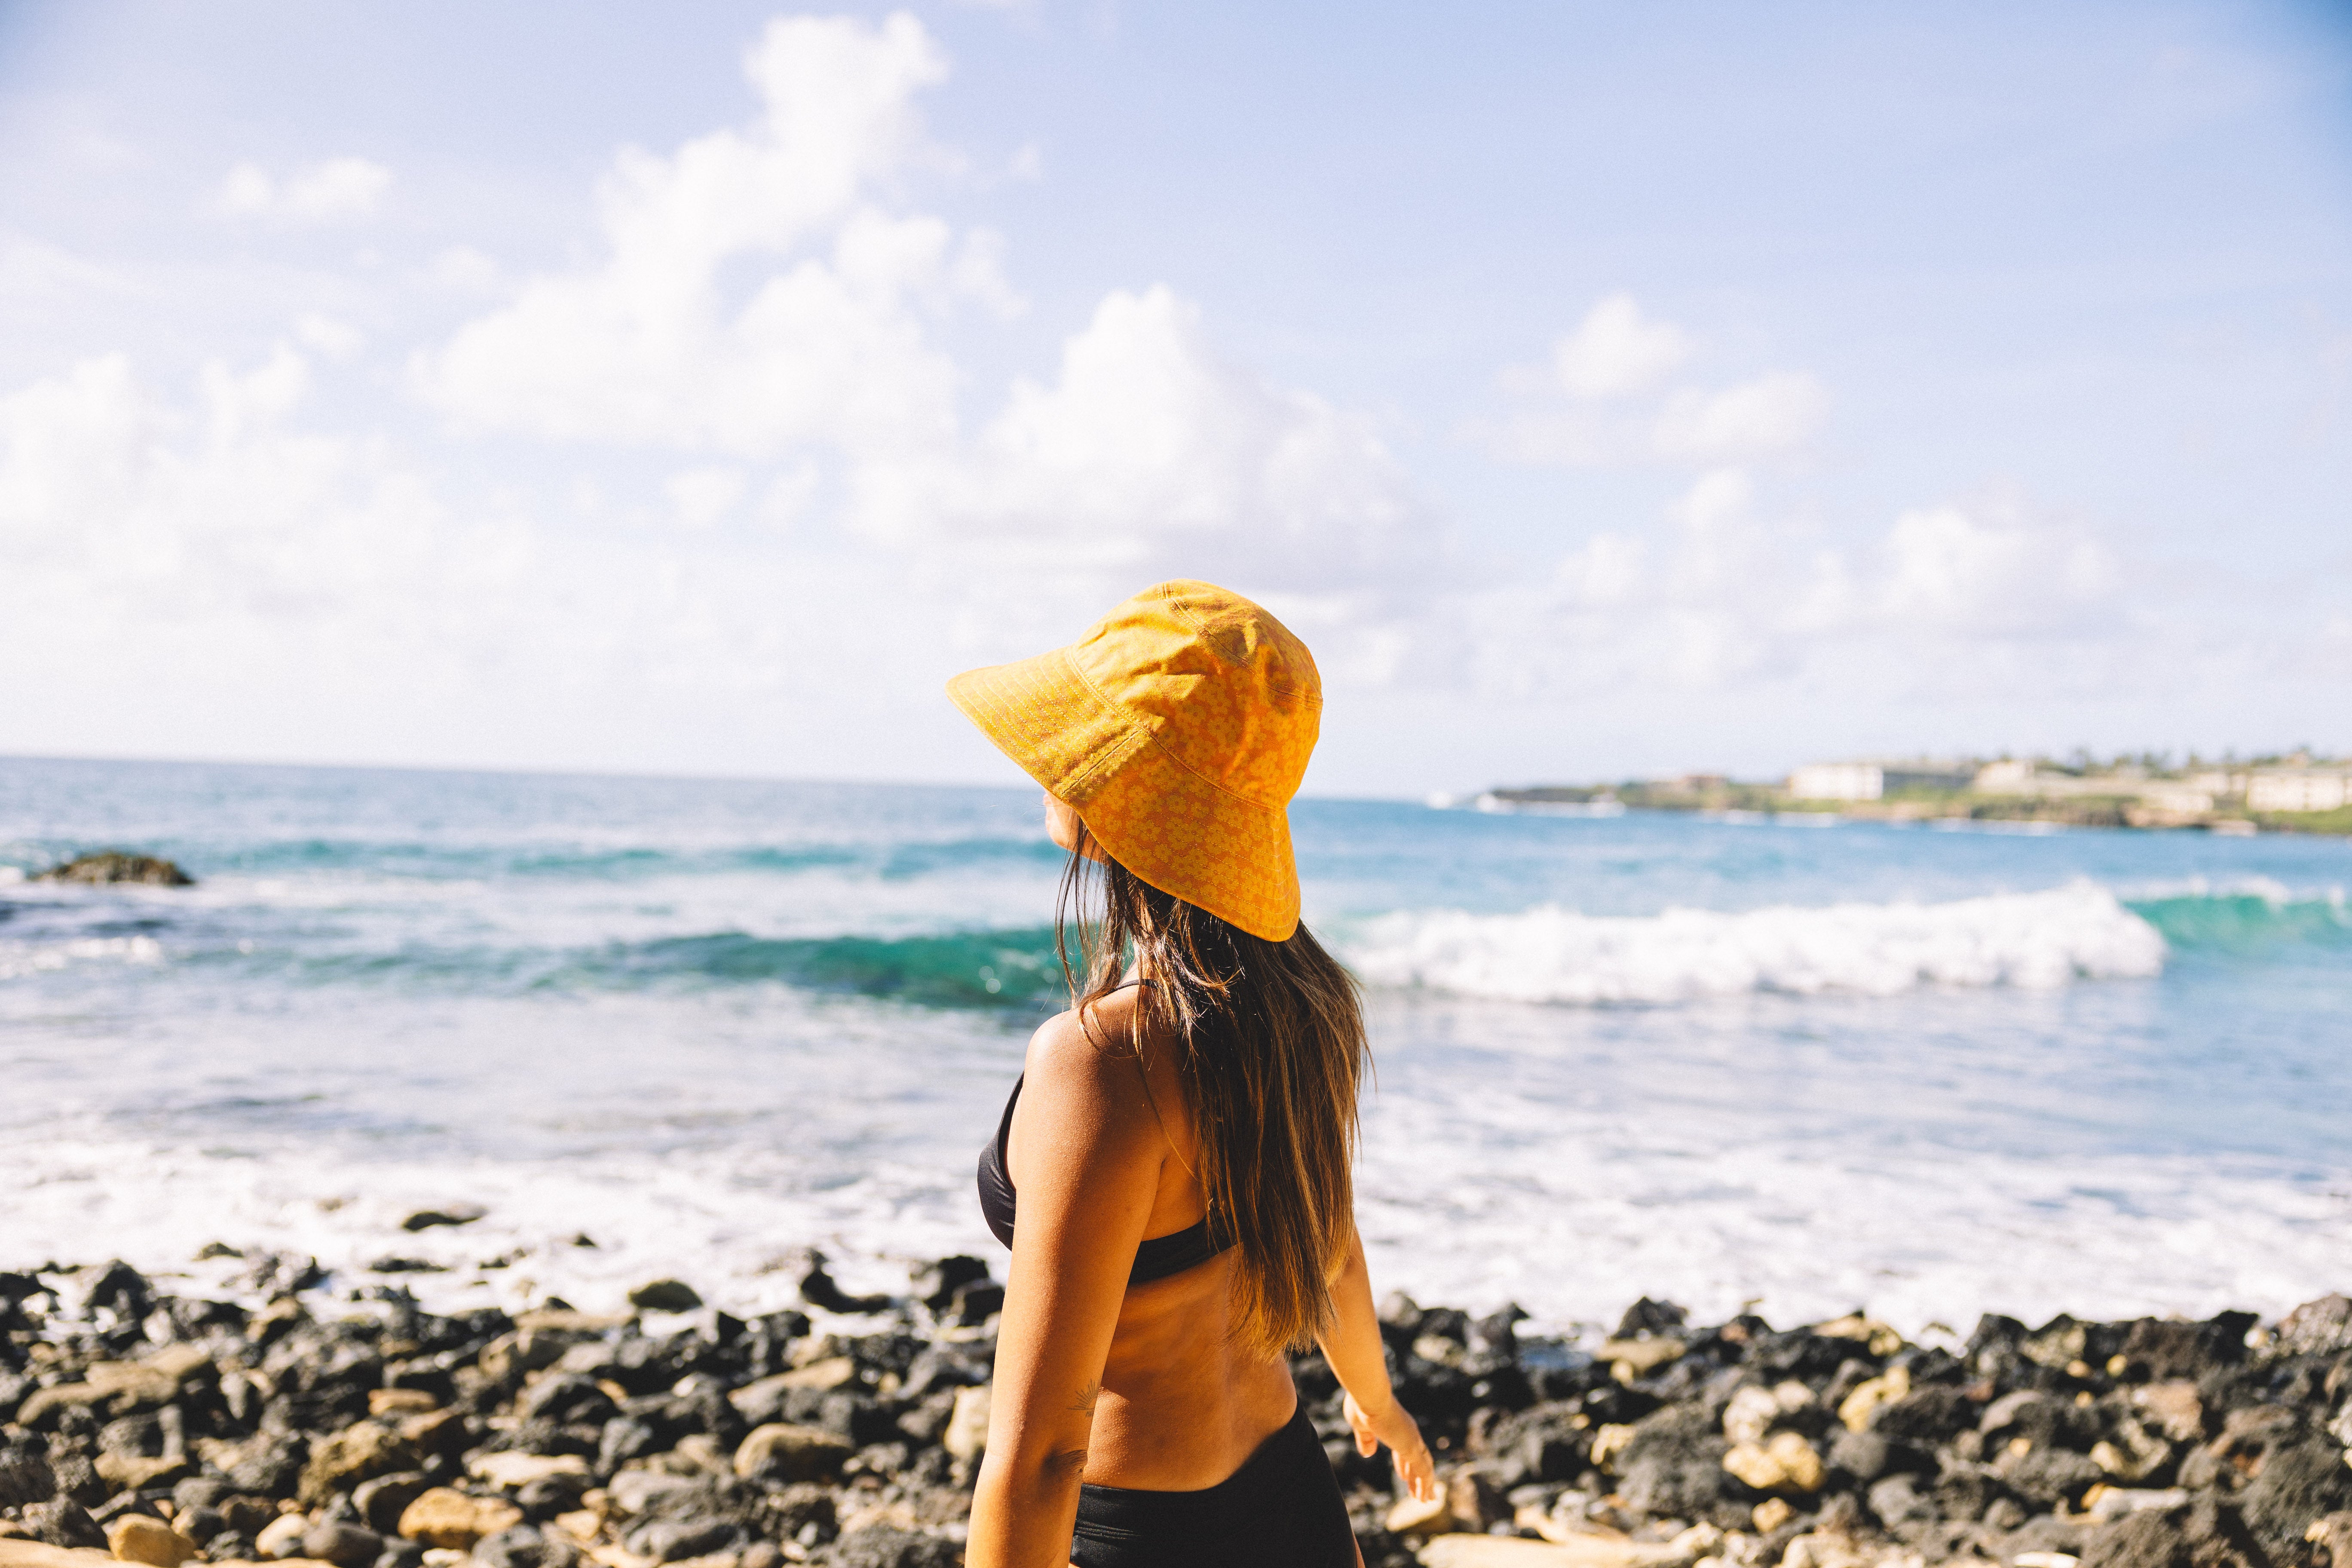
(648, 347)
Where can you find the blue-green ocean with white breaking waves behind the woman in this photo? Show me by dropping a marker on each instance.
(688, 1028)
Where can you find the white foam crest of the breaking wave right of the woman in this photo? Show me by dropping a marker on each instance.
(1683, 956)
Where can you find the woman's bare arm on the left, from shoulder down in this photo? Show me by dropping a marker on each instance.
(1090, 1170)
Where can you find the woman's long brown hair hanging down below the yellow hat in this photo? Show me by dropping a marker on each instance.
(1271, 1054)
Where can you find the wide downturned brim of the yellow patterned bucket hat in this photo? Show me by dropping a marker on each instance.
(1149, 812)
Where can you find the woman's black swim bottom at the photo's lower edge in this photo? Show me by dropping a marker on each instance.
(1278, 1510)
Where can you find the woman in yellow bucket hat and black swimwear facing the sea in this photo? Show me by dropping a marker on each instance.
(1180, 1144)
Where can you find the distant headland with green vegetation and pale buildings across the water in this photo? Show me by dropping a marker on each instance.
(2290, 793)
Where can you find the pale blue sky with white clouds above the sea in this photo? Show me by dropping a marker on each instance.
(1598, 389)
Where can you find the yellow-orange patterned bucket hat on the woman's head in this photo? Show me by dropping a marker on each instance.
(1180, 730)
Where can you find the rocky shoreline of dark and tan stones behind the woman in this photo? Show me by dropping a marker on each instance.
(349, 1426)
